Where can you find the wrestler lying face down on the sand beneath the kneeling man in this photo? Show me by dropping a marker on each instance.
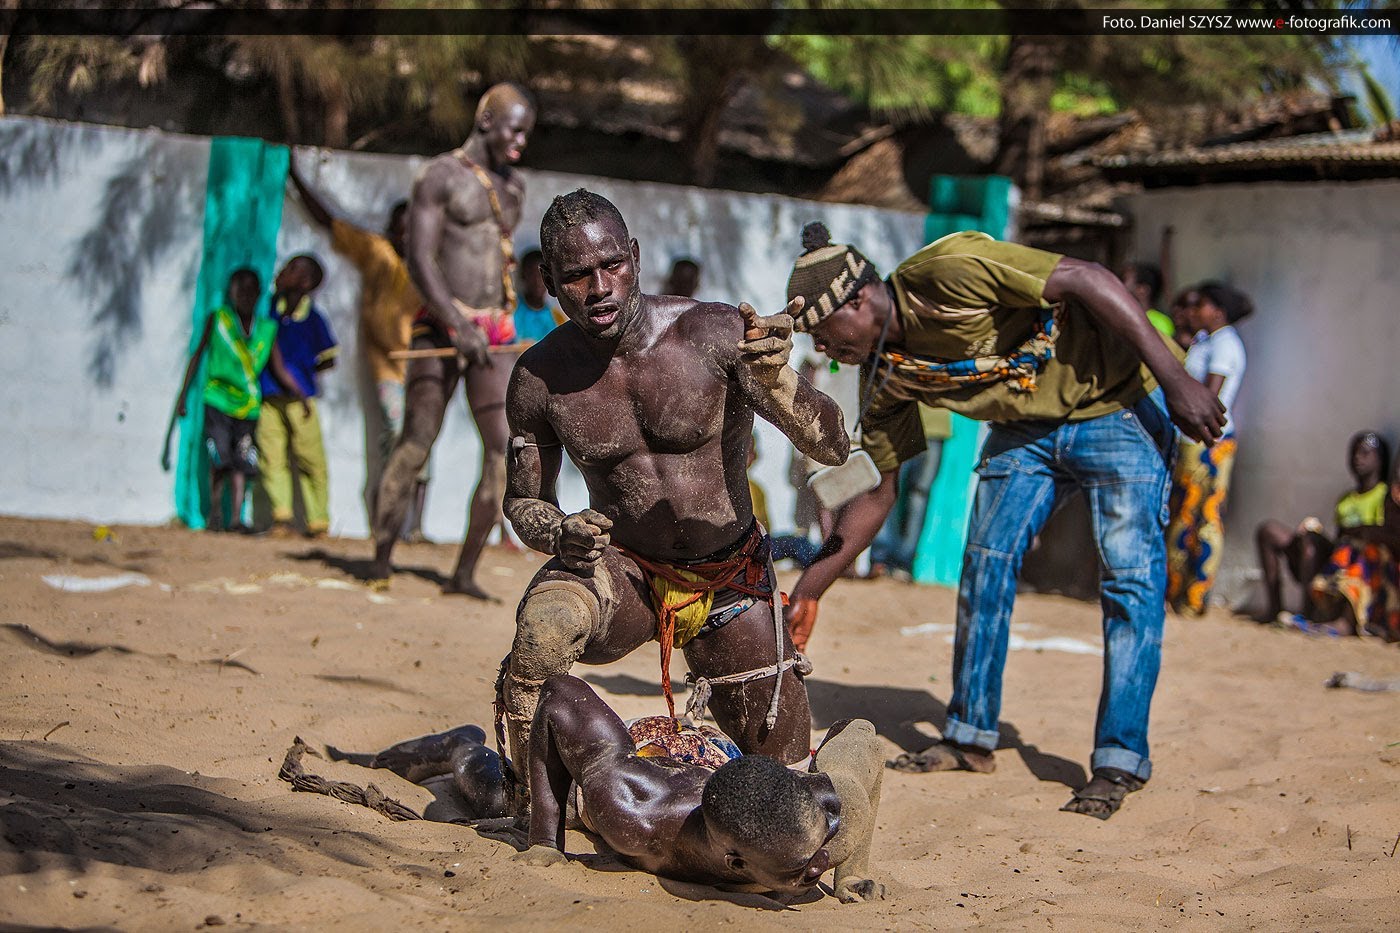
(682, 805)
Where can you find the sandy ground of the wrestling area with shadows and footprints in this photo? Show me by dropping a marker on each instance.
(141, 733)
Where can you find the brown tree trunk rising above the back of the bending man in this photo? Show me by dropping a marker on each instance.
(1027, 88)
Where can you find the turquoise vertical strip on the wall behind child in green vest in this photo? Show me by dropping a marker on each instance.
(243, 215)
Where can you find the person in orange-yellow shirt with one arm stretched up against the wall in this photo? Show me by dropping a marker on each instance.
(388, 303)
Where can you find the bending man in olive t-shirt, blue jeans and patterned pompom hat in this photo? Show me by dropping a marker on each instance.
(1065, 365)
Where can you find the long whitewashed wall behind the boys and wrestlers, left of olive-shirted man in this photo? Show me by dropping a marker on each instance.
(89, 211)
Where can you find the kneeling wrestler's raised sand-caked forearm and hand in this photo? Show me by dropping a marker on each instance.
(811, 420)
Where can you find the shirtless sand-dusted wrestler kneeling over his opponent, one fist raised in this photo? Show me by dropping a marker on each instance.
(653, 399)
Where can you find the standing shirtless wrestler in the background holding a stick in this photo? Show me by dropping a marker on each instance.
(464, 207)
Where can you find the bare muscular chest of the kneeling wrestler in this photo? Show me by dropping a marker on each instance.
(667, 403)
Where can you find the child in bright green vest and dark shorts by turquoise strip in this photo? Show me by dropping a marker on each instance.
(240, 345)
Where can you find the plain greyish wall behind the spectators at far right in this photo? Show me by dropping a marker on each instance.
(1322, 263)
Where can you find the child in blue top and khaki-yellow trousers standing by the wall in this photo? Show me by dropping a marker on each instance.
(289, 432)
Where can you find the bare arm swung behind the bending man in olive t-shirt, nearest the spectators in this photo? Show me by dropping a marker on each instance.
(1195, 408)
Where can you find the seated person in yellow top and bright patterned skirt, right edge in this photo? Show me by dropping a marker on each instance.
(1359, 590)
